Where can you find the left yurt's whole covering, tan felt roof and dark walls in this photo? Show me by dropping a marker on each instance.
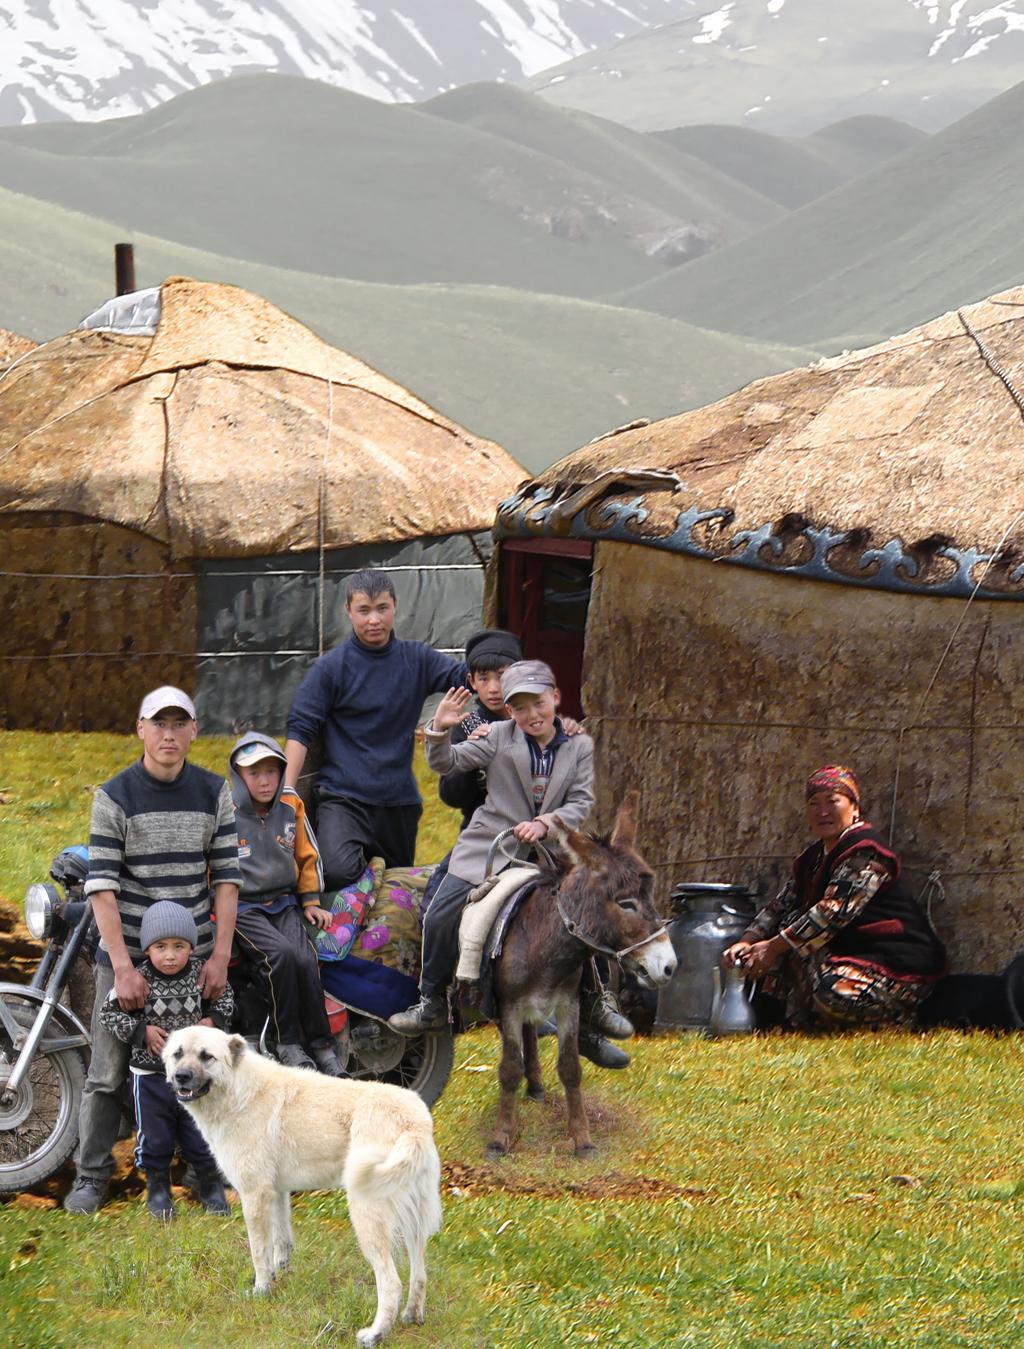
(183, 504)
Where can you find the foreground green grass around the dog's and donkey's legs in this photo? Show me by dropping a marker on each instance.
(860, 1192)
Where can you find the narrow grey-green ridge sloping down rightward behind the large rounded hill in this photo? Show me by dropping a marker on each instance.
(690, 188)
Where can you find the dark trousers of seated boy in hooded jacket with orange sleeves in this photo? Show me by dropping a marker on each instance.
(279, 950)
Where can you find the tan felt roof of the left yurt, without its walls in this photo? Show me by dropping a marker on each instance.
(215, 434)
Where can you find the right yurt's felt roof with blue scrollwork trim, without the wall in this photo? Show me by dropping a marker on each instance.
(899, 467)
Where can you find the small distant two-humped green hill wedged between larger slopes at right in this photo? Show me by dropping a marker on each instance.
(794, 172)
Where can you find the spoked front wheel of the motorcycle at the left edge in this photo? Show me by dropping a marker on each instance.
(40, 1127)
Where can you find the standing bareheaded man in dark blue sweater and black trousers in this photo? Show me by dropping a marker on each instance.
(365, 701)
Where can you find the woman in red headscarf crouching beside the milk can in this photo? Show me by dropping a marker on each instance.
(845, 942)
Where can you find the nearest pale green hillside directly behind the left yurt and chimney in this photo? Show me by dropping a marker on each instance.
(540, 374)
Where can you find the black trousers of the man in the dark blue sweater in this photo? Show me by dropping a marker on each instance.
(353, 833)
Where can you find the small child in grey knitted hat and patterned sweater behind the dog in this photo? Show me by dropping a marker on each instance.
(175, 1002)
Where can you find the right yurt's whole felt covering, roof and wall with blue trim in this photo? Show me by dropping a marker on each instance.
(825, 567)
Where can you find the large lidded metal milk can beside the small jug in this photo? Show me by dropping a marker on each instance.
(712, 918)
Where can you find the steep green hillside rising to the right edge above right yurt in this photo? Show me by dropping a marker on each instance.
(930, 230)
